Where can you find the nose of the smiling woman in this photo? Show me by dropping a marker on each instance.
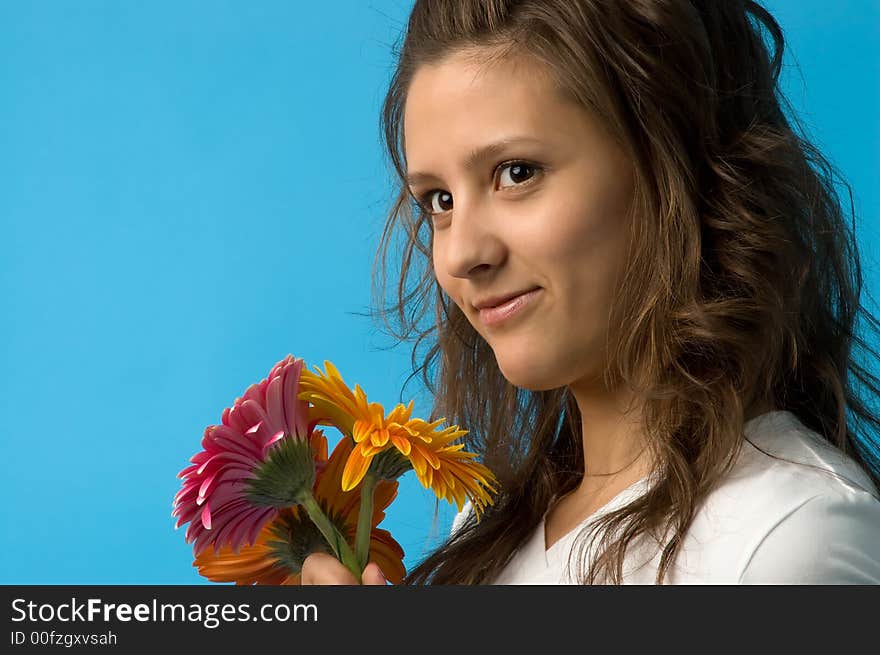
(472, 244)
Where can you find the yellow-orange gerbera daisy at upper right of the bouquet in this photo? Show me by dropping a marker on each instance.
(404, 442)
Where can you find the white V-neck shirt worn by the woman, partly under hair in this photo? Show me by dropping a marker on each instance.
(767, 522)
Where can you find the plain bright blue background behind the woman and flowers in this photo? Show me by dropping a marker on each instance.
(189, 191)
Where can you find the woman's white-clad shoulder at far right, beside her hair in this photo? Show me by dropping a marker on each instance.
(794, 509)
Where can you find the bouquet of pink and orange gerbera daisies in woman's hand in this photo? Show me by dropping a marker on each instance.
(263, 493)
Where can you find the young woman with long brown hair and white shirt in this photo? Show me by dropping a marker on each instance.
(641, 294)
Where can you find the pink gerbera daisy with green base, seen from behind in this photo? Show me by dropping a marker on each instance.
(253, 464)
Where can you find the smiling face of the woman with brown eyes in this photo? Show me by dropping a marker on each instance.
(529, 195)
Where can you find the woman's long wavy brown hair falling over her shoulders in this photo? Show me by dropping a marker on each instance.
(742, 285)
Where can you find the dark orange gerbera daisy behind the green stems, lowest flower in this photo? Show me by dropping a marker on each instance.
(277, 554)
